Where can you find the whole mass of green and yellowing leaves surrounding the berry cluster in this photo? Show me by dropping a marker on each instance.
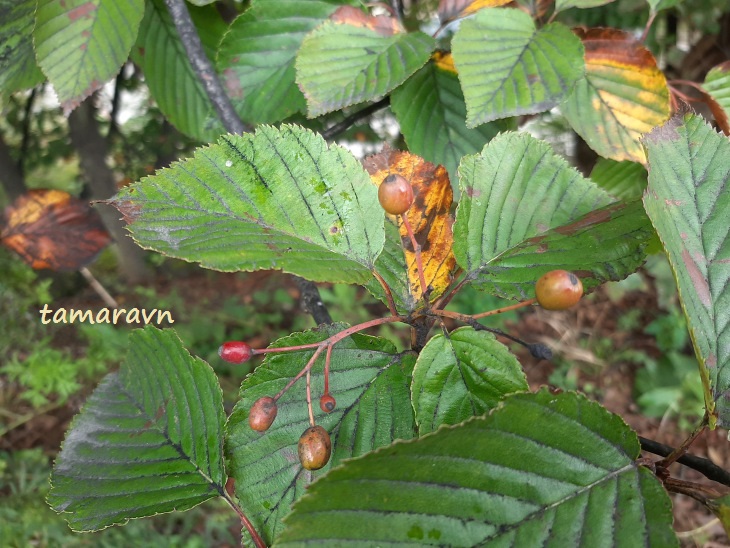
(426, 462)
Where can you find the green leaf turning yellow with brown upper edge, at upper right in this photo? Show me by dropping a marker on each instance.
(623, 95)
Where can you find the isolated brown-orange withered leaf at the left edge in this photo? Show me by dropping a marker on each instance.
(51, 229)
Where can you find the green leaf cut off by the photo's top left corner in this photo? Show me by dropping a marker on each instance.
(18, 69)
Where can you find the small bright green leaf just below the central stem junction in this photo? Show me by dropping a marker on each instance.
(465, 374)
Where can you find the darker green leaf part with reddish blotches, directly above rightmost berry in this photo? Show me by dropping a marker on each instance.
(607, 244)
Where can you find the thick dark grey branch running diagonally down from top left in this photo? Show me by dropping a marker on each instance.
(203, 67)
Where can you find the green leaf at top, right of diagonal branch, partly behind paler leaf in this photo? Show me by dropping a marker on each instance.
(256, 57)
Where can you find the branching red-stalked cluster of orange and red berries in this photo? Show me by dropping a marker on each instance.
(556, 290)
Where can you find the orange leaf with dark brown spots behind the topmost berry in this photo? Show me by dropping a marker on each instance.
(429, 216)
